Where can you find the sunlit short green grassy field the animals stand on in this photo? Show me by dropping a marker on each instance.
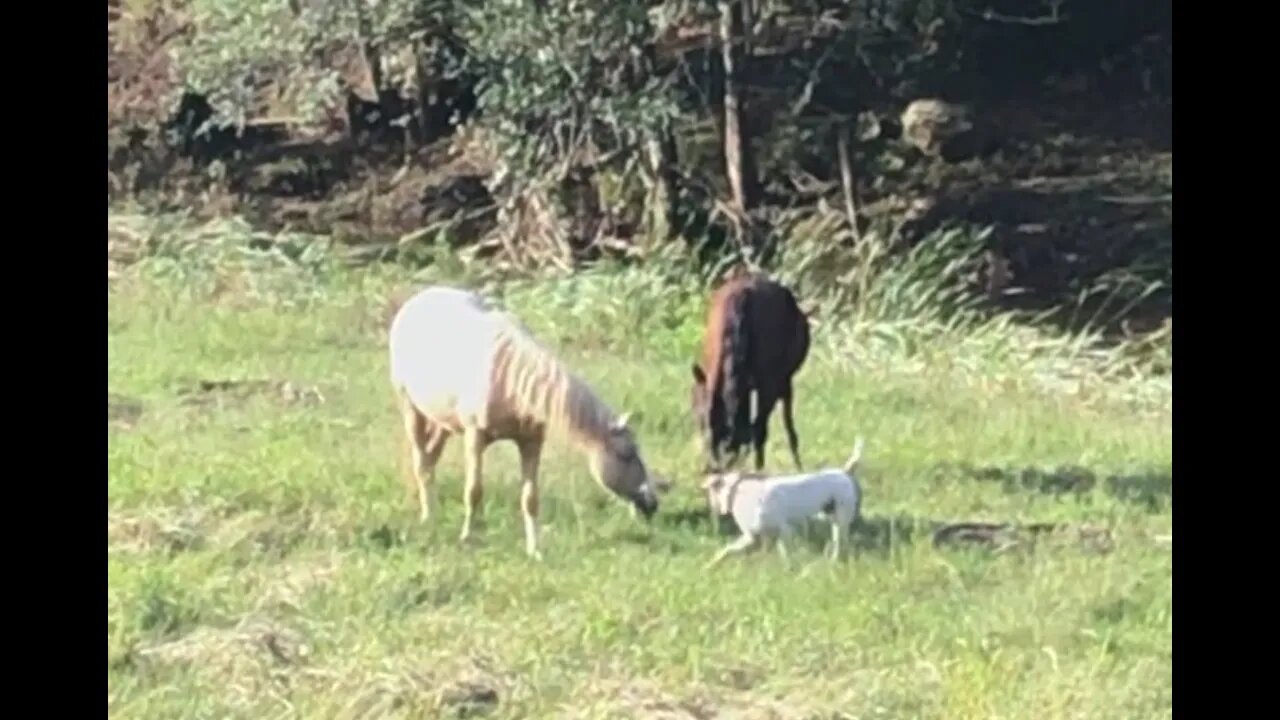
(266, 558)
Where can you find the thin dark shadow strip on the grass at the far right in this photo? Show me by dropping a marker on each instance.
(1150, 490)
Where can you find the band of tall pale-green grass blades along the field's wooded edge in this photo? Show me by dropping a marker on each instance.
(875, 304)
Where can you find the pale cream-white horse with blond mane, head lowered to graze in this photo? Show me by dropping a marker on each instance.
(463, 367)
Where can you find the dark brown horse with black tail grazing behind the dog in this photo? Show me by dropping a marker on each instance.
(756, 340)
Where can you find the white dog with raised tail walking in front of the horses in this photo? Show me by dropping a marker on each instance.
(769, 507)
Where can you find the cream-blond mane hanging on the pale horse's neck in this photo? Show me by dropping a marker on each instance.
(540, 386)
